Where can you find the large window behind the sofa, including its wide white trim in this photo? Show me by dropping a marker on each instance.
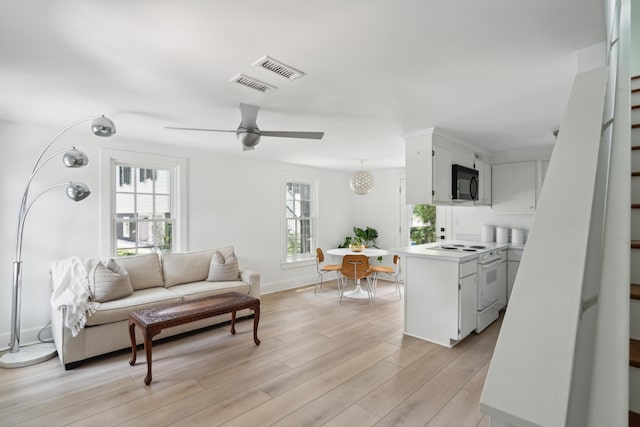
(144, 203)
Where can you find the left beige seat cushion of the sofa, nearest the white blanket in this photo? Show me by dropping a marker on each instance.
(117, 310)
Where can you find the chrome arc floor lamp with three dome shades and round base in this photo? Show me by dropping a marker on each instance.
(72, 158)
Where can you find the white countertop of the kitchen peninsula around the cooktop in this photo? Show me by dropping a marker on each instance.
(427, 251)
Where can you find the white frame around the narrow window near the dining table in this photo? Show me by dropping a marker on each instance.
(308, 258)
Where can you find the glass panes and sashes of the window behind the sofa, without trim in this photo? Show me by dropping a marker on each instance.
(143, 219)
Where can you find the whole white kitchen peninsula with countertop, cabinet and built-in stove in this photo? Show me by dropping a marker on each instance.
(453, 288)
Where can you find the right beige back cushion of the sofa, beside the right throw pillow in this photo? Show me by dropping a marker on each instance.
(185, 267)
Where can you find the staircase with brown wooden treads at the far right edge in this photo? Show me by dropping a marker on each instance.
(634, 326)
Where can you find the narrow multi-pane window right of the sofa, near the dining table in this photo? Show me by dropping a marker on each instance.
(299, 219)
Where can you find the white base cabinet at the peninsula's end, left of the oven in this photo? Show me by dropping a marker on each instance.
(440, 299)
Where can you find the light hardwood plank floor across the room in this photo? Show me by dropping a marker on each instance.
(319, 363)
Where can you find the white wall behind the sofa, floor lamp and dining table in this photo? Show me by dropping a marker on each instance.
(231, 200)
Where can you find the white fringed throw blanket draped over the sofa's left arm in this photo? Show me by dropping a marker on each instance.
(71, 291)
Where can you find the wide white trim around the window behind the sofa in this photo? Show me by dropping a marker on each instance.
(178, 166)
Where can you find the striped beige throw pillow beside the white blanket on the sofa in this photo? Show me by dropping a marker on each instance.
(109, 282)
